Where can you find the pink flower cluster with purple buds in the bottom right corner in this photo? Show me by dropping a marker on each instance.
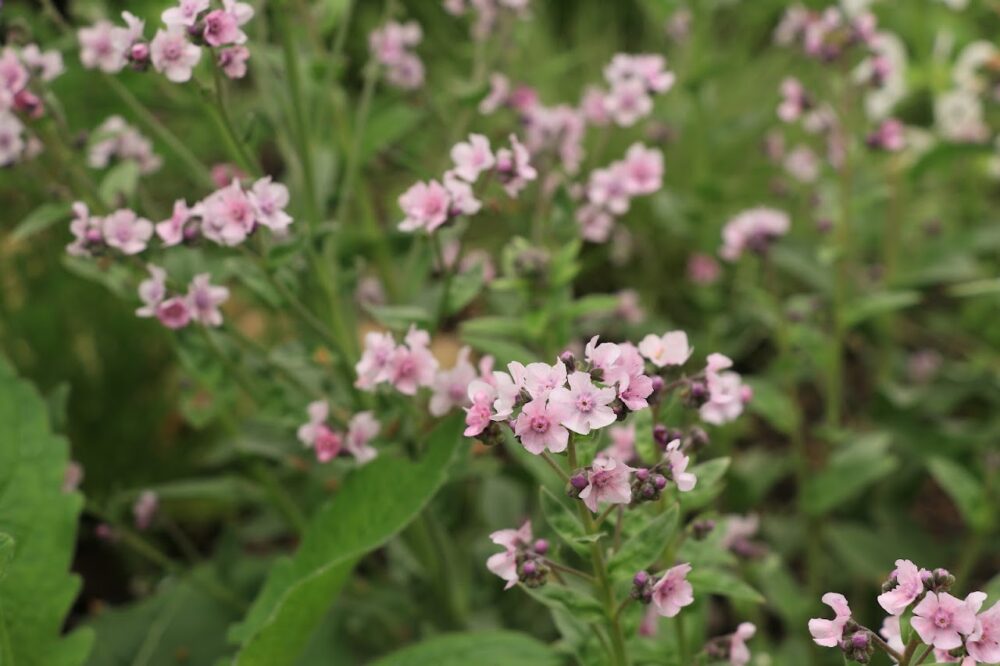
(953, 627)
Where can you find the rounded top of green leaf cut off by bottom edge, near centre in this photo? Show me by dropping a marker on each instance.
(482, 648)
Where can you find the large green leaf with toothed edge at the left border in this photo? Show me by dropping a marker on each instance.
(39, 521)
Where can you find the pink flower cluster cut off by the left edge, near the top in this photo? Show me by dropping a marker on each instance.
(18, 69)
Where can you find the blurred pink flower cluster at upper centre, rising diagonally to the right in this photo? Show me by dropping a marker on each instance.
(430, 205)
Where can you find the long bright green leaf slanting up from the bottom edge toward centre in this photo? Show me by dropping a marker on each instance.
(300, 589)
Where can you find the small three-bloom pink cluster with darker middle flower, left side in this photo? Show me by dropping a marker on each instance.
(200, 304)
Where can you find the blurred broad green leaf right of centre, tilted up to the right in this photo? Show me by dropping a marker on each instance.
(849, 472)
